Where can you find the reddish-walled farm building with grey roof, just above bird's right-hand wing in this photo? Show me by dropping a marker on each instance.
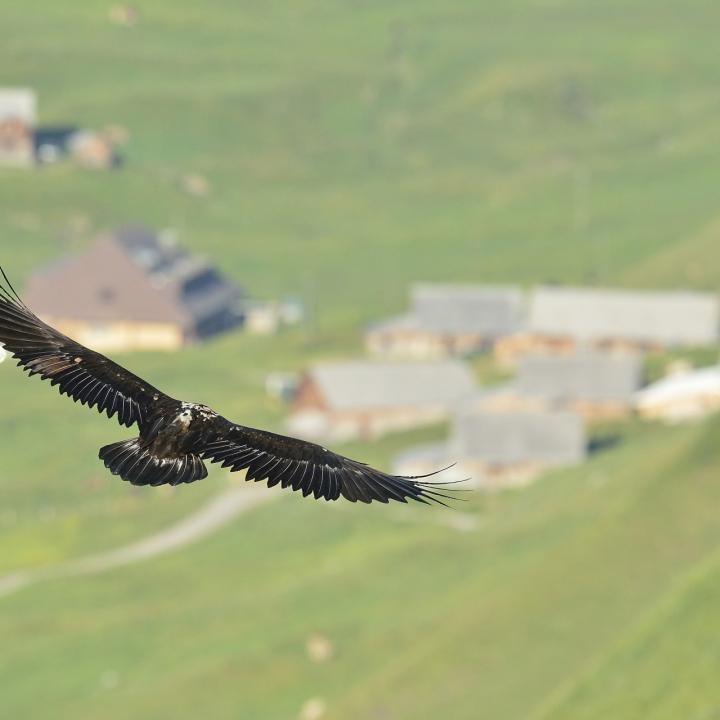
(368, 399)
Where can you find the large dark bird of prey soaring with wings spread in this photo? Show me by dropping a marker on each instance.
(176, 437)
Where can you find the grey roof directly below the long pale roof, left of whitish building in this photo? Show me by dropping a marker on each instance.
(591, 376)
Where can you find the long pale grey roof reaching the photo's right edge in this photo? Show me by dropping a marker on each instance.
(665, 318)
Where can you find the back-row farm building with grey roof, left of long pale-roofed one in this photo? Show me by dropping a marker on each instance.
(447, 320)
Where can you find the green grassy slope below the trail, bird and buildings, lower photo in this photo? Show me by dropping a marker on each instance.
(588, 595)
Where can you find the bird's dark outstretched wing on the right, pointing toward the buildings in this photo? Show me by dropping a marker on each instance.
(311, 468)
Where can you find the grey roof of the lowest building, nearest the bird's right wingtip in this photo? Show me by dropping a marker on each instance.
(504, 438)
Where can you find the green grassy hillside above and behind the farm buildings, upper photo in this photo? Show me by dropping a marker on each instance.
(352, 149)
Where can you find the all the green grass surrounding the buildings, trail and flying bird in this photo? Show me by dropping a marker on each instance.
(351, 149)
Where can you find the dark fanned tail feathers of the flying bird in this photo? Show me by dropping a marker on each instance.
(135, 463)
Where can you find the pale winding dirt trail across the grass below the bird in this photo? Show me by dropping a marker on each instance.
(216, 513)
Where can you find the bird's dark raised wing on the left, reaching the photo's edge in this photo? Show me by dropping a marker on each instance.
(80, 373)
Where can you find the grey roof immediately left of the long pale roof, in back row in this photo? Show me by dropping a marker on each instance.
(486, 310)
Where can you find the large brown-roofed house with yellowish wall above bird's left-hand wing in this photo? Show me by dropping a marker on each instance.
(135, 290)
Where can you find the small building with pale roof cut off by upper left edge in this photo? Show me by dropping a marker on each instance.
(17, 127)
